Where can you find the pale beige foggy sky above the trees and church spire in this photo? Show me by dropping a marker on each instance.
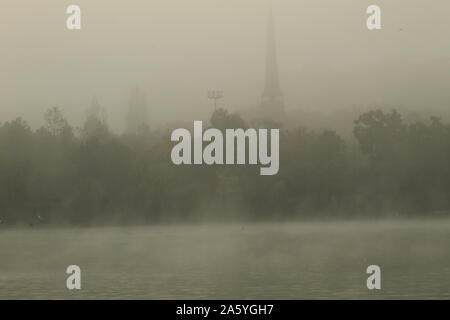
(176, 50)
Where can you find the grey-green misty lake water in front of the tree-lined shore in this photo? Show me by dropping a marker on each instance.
(264, 261)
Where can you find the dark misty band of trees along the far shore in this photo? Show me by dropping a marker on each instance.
(62, 175)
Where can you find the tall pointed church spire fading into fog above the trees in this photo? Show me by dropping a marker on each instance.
(272, 103)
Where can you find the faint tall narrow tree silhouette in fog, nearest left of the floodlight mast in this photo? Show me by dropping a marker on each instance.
(137, 116)
